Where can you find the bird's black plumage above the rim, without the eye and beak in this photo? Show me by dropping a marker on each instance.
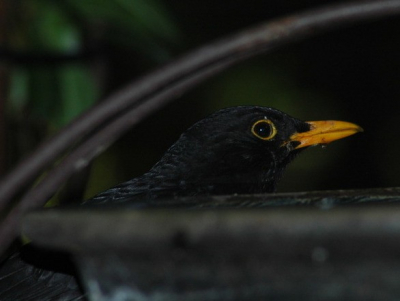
(218, 155)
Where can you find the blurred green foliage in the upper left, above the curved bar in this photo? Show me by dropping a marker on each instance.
(56, 92)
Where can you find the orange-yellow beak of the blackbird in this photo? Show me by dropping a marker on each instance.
(324, 132)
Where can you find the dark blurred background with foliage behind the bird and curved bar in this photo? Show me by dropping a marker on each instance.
(86, 50)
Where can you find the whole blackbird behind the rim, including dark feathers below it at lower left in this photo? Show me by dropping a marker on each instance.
(238, 150)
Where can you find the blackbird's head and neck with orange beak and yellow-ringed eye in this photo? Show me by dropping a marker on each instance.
(239, 150)
